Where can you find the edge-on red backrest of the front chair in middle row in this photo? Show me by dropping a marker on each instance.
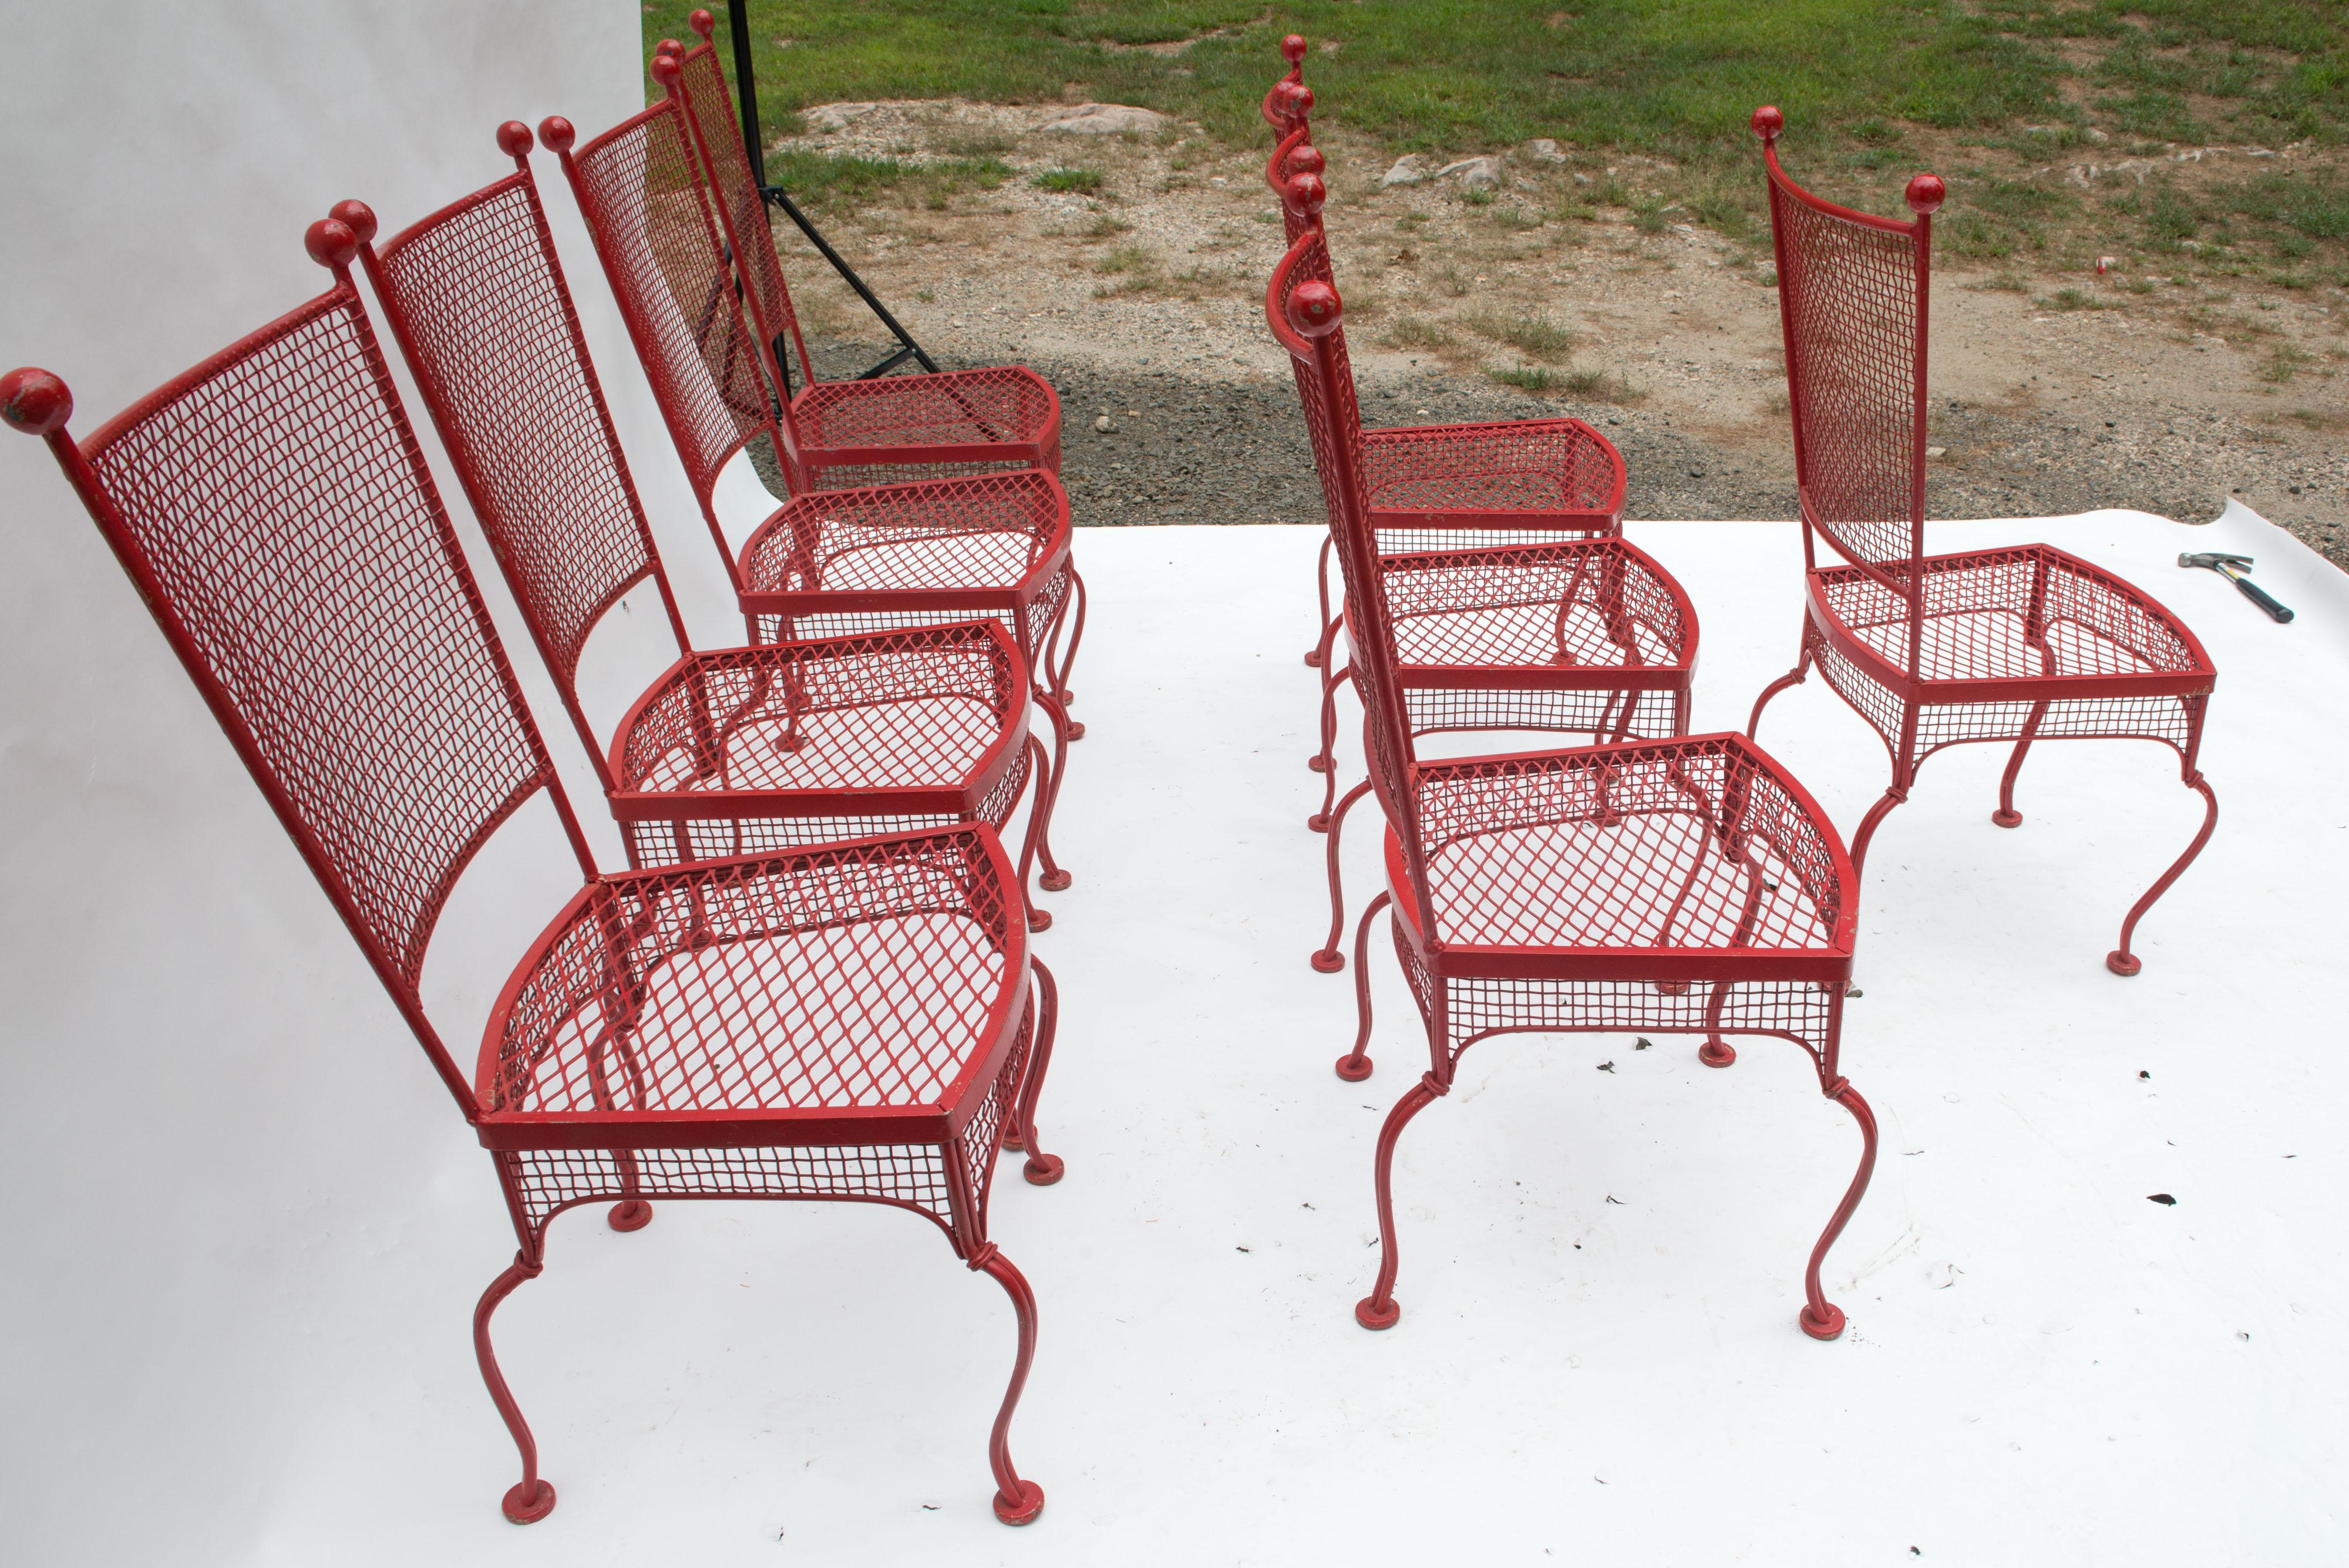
(1333, 419)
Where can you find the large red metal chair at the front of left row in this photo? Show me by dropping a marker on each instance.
(840, 1022)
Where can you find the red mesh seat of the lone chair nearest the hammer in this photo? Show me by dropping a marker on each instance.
(1979, 607)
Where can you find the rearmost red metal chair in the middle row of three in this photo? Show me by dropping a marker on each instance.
(1502, 482)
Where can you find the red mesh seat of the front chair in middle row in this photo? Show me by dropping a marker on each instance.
(1624, 849)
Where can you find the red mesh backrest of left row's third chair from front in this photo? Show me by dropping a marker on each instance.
(645, 208)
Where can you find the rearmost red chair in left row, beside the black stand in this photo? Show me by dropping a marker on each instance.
(856, 431)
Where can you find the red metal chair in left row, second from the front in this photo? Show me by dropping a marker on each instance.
(734, 752)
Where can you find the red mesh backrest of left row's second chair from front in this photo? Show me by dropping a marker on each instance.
(480, 304)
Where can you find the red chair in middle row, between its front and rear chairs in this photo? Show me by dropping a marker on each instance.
(1582, 635)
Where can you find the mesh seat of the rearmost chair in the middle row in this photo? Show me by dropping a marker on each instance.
(1509, 466)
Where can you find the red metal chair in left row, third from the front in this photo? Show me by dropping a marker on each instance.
(828, 562)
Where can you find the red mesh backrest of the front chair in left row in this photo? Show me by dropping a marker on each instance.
(285, 513)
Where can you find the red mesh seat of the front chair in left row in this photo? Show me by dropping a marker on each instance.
(847, 978)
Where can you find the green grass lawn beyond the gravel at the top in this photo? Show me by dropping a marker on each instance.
(1995, 93)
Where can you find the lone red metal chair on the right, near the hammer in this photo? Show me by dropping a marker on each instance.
(1932, 651)
